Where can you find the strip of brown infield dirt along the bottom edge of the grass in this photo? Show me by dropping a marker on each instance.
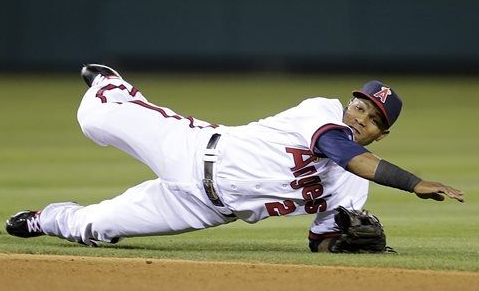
(35, 272)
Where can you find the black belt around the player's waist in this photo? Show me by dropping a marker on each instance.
(208, 180)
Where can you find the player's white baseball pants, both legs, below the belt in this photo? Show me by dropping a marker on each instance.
(114, 113)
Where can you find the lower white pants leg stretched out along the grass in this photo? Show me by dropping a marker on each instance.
(151, 208)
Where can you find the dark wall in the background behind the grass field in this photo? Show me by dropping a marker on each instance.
(352, 35)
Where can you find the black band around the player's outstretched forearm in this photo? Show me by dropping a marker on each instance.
(391, 175)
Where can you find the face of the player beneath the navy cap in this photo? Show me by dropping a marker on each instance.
(364, 118)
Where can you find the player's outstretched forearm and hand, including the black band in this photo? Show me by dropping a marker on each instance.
(370, 167)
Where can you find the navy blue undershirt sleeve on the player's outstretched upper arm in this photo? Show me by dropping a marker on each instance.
(336, 143)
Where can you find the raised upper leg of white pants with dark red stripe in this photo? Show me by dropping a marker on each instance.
(114, 113)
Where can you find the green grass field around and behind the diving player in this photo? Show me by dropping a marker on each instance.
(45, 158)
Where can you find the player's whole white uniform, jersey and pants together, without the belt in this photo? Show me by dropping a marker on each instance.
(262, 169)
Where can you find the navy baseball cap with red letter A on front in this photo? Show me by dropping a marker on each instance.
(385, 99)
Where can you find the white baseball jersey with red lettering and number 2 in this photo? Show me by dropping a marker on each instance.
(267, 168)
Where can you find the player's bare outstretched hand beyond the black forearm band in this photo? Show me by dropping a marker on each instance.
(436, 191)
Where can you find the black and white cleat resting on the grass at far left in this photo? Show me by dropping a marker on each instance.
(24, 224)
